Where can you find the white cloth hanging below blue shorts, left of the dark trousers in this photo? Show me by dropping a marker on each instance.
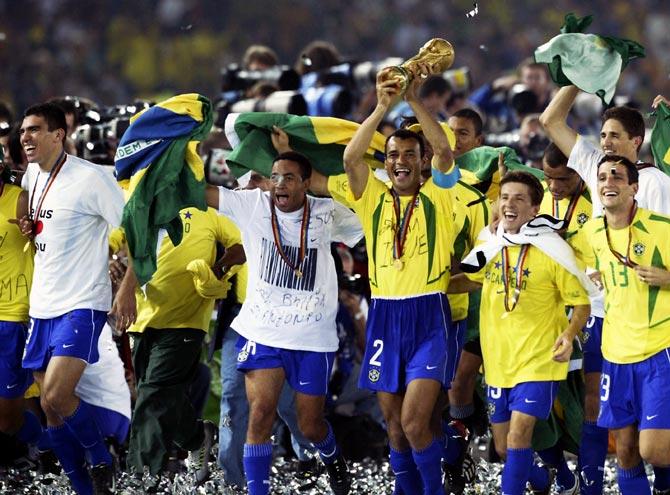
(103, 384)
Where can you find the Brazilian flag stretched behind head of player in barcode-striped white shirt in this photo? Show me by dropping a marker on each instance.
(321, 139)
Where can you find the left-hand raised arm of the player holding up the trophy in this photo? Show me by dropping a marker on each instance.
(354, 164)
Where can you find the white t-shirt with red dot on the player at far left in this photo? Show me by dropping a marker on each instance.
(71, 246)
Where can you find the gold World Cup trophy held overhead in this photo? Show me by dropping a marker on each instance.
(438, 54)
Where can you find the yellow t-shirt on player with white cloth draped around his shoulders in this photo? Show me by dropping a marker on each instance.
(517, 345)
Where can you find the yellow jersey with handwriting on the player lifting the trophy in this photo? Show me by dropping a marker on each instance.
(428, 246)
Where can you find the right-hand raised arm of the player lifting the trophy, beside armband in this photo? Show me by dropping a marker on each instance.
(443, 158)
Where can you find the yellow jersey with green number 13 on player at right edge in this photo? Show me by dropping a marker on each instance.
(637, 319)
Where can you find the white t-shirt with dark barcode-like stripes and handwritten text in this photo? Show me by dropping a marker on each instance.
(281, 309)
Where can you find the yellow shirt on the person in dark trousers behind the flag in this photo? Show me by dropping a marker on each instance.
(171, 300)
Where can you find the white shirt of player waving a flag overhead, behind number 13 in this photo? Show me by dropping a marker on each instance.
(654, 186)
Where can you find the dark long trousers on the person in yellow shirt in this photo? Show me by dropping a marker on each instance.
(165, 362)
